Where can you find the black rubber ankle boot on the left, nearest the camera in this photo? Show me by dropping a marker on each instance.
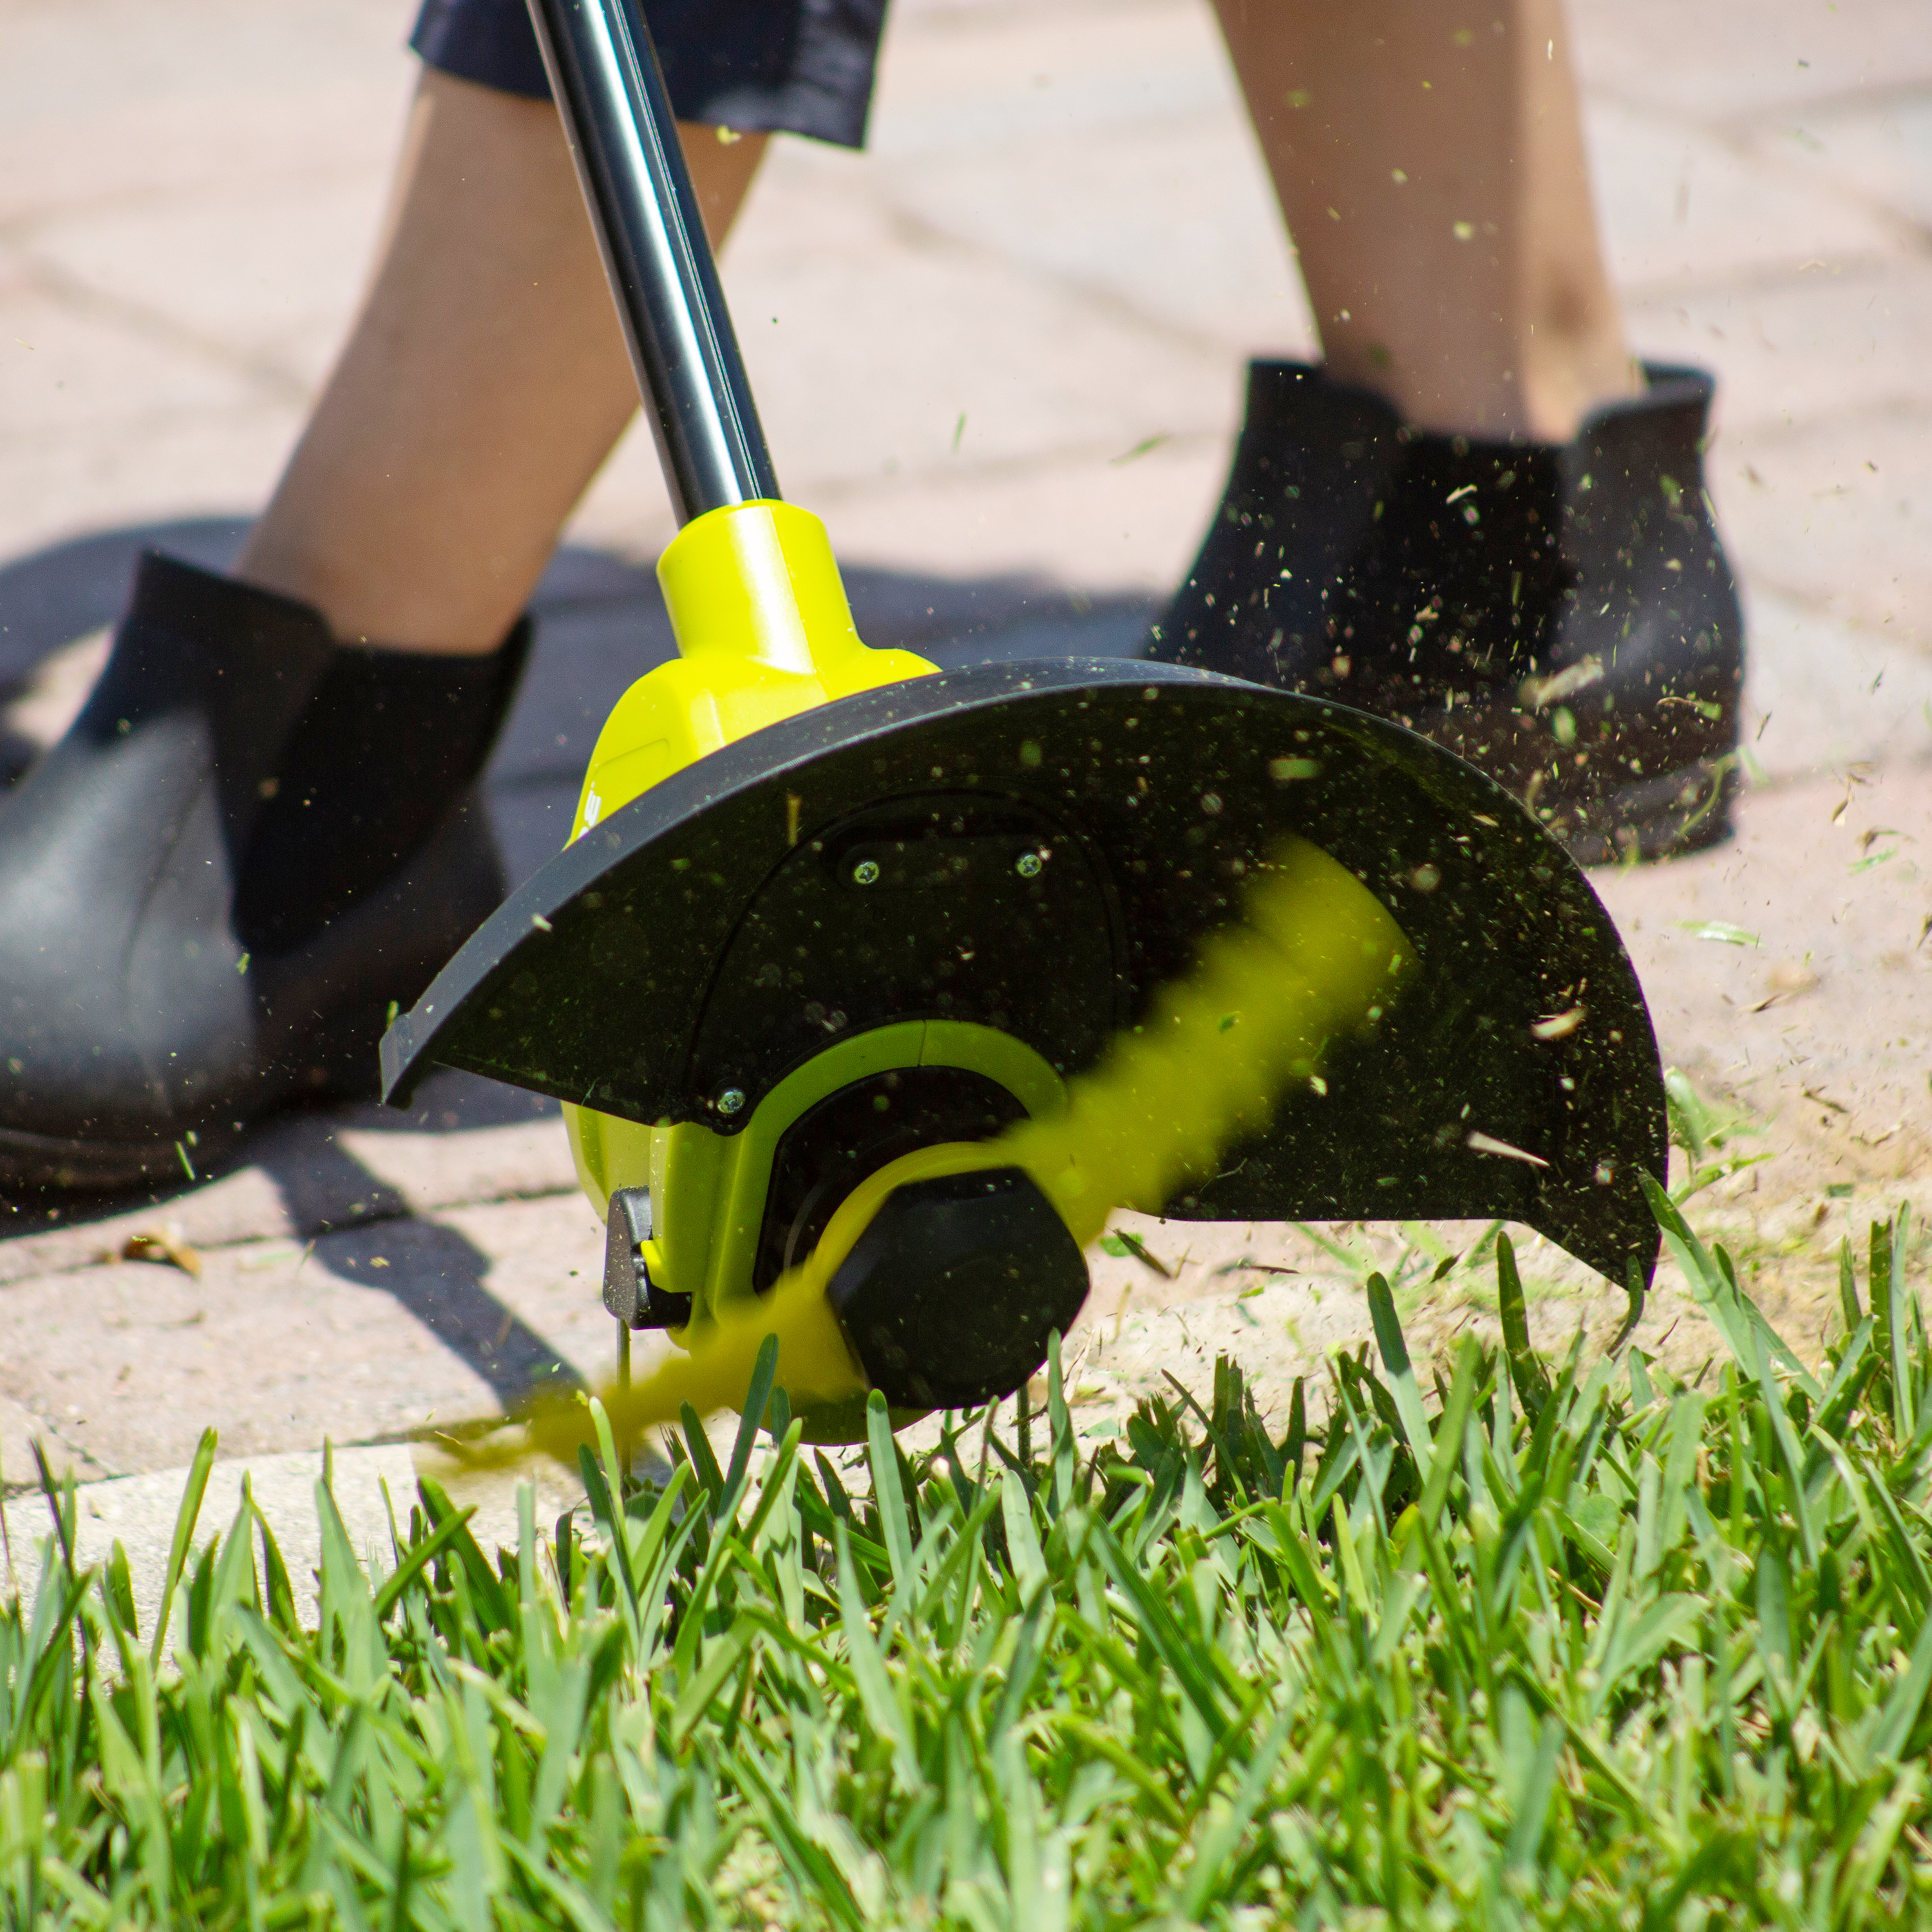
(248, 847)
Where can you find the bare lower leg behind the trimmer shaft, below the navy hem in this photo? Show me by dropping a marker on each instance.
(482, 385)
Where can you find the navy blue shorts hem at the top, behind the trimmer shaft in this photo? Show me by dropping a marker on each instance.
(803, 67)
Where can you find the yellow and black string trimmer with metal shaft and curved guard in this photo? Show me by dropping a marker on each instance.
(911, 975)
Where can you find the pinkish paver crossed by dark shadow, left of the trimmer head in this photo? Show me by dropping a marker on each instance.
(362, 1336)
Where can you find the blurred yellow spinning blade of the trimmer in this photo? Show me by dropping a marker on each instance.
(1317, 955)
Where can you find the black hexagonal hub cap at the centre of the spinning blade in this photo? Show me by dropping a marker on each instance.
(953, 1290)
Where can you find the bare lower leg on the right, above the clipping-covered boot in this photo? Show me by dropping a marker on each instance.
(1431, 167)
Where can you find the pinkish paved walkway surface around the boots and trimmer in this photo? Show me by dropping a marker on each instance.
(1064, 237)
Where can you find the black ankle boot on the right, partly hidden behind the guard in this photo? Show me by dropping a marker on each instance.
(1560, 615)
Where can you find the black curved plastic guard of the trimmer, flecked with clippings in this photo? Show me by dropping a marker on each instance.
(857, 867)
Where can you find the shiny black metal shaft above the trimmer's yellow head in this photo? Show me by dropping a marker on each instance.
(664, 277)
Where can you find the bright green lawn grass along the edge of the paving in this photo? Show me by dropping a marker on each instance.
(1547, 1645)
